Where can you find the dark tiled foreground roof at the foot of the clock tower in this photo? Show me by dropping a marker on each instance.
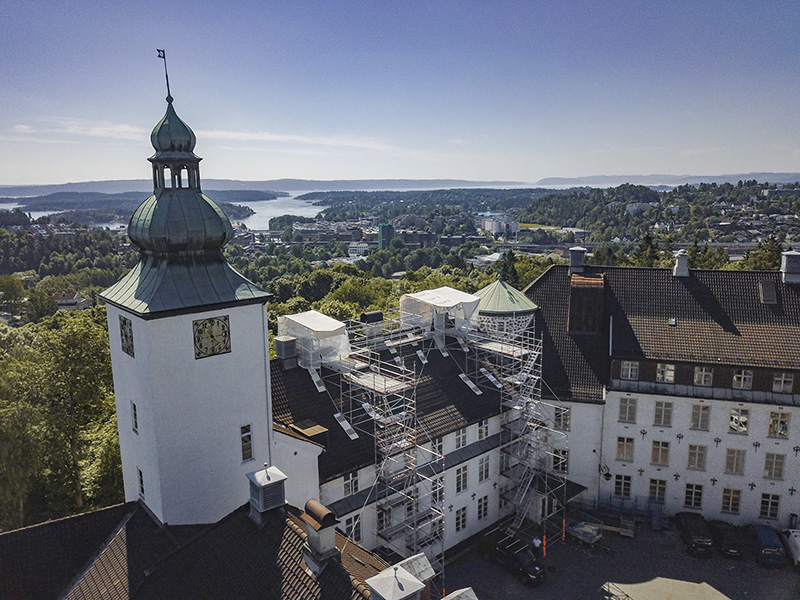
(124, 553)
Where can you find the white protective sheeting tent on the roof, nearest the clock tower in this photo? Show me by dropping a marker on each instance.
(320, 338)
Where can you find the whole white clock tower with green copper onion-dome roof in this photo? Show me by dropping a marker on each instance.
(189, 348)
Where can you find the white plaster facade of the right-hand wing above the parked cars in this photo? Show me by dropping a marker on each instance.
(719, 421)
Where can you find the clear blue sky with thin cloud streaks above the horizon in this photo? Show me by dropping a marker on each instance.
(378, 89)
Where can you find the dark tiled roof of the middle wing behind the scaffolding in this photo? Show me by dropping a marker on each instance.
(444, 404)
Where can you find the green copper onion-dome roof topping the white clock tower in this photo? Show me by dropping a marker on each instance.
(180, 233)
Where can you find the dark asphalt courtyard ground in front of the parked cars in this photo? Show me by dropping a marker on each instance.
(578, 573)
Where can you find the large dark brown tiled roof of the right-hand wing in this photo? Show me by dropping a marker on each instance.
(709, 317)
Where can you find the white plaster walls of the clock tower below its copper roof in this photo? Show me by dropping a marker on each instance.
(190, 413)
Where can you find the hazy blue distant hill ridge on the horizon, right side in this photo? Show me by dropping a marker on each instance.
(660, 180)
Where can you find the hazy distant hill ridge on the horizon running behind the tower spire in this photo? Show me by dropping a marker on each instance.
(119, 186)
